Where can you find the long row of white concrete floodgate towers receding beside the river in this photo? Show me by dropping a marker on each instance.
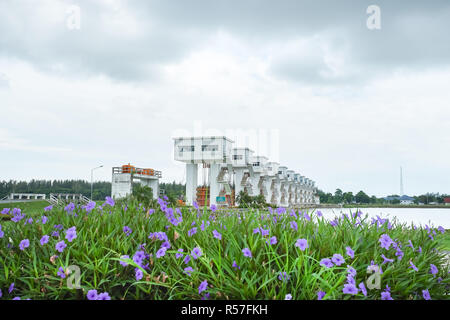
(227, 171)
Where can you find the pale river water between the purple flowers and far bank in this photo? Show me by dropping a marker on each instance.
(418, 216)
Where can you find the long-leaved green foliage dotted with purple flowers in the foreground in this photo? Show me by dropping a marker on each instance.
(101, 242)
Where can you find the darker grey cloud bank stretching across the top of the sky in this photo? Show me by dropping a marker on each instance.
(413, 35)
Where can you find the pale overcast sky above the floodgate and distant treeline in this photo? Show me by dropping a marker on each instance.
(328, 97)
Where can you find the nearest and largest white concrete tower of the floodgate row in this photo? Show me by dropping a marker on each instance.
(214, 151)
